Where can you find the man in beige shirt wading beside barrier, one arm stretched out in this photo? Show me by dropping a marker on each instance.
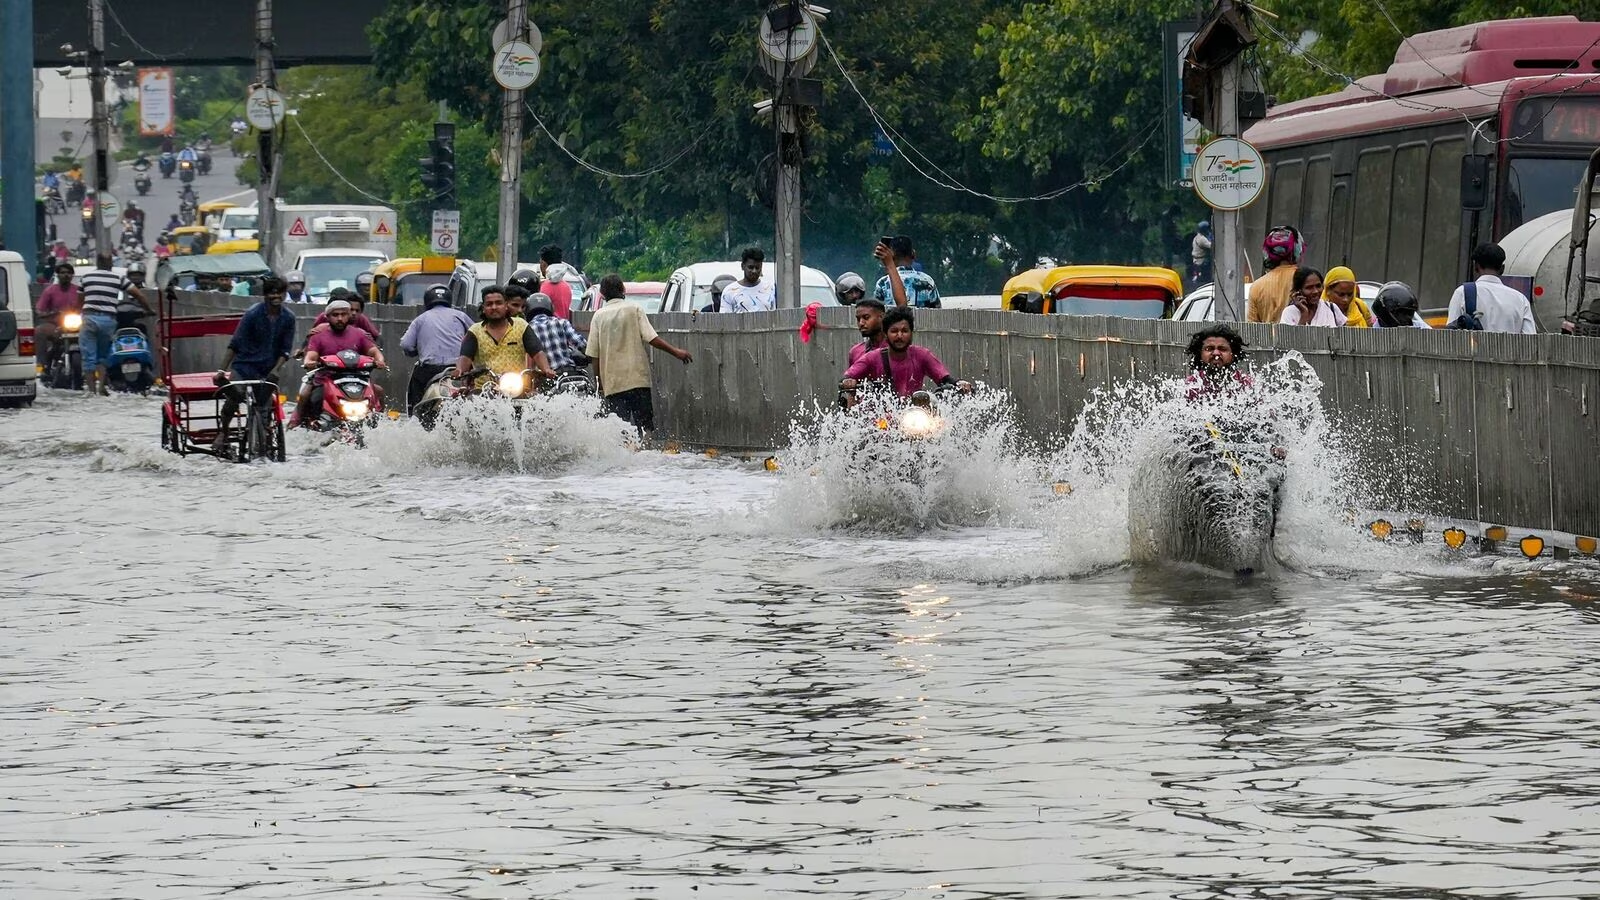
(617, 342)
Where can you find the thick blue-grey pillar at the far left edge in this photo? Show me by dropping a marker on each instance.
(17, 129)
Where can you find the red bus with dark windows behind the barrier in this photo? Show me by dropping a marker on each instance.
(1471, 134)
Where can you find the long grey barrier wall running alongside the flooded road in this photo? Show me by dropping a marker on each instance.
(1492, 428)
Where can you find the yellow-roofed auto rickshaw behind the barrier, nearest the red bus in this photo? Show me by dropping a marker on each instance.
(1130, 292)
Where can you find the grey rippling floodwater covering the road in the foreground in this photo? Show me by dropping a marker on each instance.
(470, 665)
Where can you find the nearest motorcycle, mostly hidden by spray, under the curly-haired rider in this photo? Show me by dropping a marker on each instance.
(1210, 500)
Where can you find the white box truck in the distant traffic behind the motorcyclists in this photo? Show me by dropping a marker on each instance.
(332, 244)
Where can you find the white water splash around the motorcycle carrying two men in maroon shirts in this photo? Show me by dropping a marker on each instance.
(855, 470)
